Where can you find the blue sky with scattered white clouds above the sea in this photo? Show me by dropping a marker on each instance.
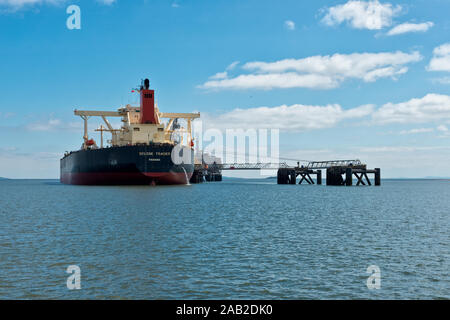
(366, 80)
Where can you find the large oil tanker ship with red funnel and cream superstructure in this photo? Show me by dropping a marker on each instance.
(143, 151)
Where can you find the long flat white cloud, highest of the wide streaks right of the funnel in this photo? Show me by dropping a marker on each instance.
(319, 72)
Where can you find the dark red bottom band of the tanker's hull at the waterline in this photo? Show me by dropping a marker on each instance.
(126, 178)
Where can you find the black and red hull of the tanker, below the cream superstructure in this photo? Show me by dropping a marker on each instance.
(127, 165)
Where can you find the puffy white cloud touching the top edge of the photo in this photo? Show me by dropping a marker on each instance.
(371, 15)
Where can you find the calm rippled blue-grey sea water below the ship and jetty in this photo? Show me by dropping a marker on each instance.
(249, 239)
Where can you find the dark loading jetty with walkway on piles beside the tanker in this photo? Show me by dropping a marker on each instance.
(338, 172)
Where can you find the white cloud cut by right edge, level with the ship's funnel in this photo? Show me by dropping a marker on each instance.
(432, 107)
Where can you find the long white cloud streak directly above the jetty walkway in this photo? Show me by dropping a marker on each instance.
(287, 118)
